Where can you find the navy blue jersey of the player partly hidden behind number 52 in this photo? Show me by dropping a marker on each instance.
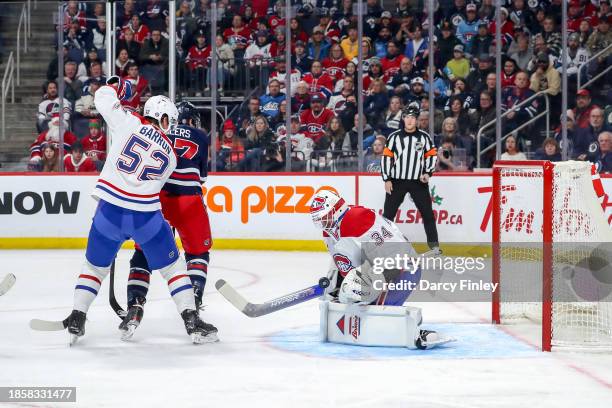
(191, 146)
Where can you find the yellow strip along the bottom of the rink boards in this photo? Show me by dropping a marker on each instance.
(244, 244)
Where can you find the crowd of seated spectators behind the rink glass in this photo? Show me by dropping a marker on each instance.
(251, 44)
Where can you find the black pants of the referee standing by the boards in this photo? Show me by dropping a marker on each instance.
(422, 200)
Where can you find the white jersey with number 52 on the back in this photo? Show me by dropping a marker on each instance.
(140, 160)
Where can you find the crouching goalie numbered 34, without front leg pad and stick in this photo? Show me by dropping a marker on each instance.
(354, 237)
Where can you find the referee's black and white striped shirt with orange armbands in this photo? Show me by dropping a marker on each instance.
(408, 156)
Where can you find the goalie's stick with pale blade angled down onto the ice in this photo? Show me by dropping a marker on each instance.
(271, 306)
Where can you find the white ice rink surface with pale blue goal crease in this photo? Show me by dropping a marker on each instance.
(275, 360)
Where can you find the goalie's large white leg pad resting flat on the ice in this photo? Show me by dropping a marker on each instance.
(369, 325)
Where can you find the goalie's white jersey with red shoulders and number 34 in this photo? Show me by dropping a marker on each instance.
(363, 235)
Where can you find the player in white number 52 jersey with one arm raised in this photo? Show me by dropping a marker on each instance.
(139, 162)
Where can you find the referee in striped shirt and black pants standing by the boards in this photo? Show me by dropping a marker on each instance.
(409, 159)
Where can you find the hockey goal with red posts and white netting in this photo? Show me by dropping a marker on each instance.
(551, 252)
